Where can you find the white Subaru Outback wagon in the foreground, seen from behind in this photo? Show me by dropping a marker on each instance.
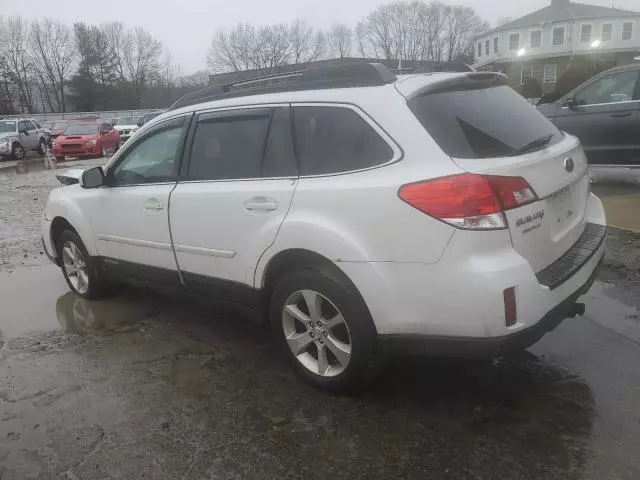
(363, 213)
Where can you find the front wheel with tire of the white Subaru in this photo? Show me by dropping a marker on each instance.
(87, 279)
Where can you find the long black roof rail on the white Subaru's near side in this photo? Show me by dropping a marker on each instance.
(339, 76)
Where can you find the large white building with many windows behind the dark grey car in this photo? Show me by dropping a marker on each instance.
(541, 44)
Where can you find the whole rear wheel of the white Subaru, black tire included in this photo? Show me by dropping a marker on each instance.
(354, 339)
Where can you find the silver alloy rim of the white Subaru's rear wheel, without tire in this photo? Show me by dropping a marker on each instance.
(317, 333)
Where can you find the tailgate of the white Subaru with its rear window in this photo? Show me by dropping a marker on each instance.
(494, 131)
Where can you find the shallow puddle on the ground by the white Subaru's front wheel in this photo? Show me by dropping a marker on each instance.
(38, 299)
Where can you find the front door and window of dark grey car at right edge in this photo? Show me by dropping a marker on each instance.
(606, 119)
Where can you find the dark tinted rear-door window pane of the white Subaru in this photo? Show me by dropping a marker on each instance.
(229, 145)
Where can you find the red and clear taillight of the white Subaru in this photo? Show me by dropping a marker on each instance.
(469, 201)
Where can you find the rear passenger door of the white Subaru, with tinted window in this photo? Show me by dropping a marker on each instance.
(234, 195)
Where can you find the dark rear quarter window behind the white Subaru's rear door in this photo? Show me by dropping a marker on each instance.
(336, 139)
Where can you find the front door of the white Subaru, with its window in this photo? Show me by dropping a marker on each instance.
(129, 216)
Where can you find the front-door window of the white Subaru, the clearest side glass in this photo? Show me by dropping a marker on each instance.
(152, 159)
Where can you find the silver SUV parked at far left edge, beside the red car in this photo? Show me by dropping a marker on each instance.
(18, 135)
